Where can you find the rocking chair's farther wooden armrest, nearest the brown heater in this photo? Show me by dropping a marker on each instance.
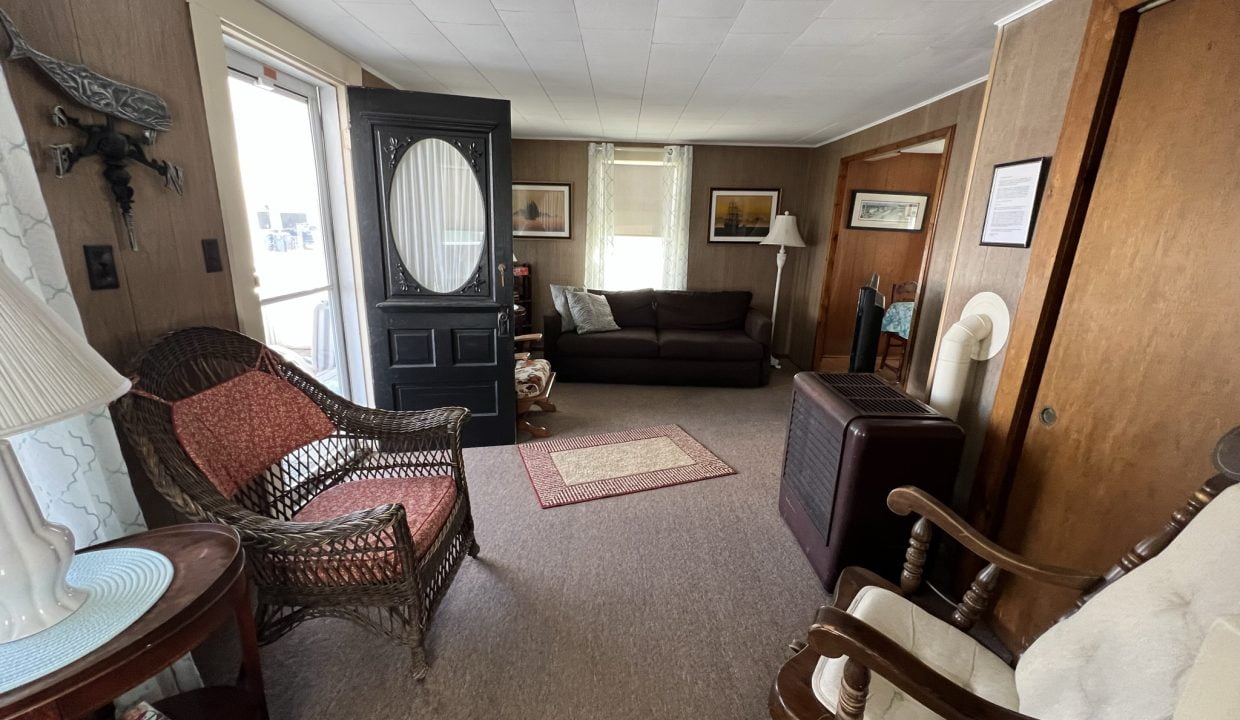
(911, 500)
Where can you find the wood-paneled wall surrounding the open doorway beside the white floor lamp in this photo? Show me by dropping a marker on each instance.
(960, 110)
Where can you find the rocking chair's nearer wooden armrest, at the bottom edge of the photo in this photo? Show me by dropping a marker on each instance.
(838, 634)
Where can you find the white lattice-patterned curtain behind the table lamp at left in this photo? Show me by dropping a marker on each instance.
(75, 468)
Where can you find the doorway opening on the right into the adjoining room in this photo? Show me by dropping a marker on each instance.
(887, 201)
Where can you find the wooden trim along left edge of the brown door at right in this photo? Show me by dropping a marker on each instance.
(1108, 42)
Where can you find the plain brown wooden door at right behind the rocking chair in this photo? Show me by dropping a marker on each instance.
(1143, 377)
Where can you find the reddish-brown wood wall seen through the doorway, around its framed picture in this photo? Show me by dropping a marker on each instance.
(859, 253)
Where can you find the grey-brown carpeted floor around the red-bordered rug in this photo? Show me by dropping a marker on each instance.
(662, 605)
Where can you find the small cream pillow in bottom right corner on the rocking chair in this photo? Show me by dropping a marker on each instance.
(1212, 691)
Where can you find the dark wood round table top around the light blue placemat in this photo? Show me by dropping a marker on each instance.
(206, 562)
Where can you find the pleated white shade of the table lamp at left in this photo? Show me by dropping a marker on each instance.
(48, 371)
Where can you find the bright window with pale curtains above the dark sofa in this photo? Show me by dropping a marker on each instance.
(638, 225)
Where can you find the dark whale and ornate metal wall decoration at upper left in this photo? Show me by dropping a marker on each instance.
(117, 101)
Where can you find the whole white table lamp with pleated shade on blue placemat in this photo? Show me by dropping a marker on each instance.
(48, 374)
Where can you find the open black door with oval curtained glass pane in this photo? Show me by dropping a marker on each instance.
(435, 204)
